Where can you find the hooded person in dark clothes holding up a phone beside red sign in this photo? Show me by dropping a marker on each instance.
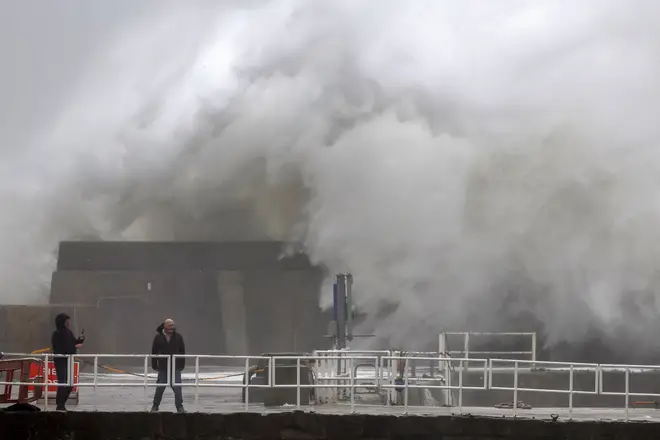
(63, 343)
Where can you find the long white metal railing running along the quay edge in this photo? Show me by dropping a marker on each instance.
(391, 375)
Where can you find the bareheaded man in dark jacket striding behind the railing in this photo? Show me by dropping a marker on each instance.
(169, 342)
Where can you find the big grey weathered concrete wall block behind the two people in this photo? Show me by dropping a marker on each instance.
(227, 297)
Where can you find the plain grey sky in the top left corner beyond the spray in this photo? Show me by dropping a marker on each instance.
(43, 46)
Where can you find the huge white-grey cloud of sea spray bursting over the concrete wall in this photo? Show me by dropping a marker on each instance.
(476, 165)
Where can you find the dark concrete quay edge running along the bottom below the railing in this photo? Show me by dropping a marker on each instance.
(303, 426)
